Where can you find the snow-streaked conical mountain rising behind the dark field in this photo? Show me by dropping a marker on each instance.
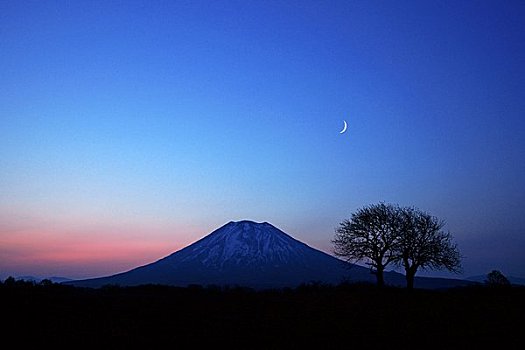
(250, 254)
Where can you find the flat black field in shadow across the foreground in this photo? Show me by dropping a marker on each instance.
(315, 316)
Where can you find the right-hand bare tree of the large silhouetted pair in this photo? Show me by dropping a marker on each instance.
(422, 243)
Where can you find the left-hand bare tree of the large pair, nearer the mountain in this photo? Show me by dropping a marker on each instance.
(370, 235)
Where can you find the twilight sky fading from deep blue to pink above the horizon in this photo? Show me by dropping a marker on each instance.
(130, 129)
